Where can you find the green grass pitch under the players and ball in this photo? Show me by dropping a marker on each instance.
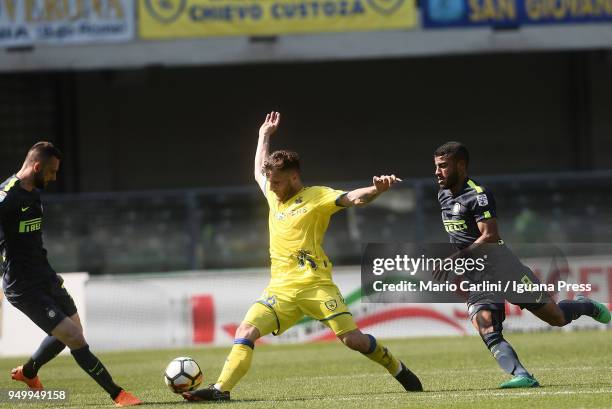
(574, 368)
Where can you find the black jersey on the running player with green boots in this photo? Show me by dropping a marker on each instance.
(461, 213)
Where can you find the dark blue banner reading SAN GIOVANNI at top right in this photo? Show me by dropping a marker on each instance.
(512, 13)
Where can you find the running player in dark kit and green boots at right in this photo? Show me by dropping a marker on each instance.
(469, 217)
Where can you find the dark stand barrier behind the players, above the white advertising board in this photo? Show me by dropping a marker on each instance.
(169, 230)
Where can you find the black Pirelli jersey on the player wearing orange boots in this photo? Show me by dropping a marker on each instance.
(24, 260)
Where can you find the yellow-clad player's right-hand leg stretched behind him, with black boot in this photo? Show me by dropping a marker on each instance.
(326, 304)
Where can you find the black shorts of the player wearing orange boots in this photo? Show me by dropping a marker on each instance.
(46, 305)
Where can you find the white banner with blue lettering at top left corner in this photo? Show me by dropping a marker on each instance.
(28, 22)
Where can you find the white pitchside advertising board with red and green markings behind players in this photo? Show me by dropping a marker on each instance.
(206, 308)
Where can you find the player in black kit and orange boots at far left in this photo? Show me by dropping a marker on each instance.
(31, 285)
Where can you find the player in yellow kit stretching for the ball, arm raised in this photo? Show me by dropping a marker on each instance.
(301, 282)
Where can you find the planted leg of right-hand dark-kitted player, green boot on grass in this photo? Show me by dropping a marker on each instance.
(488, 319)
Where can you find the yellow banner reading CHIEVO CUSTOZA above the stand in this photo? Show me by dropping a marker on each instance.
(200, 18)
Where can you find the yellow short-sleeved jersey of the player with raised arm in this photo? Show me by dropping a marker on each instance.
(297, 229)
